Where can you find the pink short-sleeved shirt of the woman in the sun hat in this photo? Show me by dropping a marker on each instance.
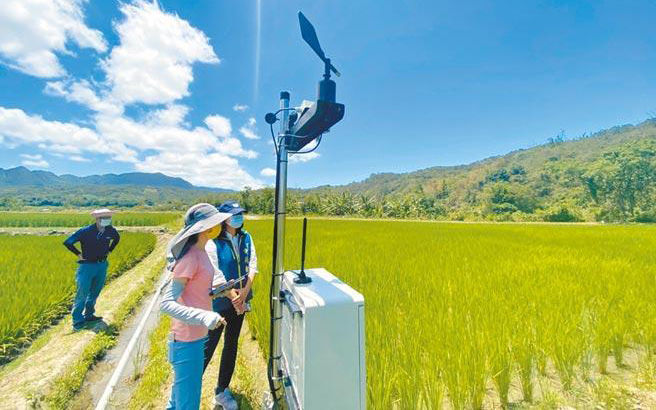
(196, 267)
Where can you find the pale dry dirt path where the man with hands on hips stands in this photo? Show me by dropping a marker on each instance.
(25, 380)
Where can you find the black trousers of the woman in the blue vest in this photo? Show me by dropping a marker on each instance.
(230, 344)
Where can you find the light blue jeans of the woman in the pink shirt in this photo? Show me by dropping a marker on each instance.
(187, 361)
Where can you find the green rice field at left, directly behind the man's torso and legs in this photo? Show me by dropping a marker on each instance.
(37, 281)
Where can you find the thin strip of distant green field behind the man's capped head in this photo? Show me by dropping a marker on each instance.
(61, 219)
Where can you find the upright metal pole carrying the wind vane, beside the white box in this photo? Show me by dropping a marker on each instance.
(279, 255)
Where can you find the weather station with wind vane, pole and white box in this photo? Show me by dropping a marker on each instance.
(317, 345)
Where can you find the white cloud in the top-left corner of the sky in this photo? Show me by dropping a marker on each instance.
(33, 32)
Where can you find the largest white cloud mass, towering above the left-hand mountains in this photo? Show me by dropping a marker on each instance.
(151, 65)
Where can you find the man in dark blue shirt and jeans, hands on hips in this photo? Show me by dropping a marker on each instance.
(97, 241)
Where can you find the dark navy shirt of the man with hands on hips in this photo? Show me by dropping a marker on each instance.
(95, 244)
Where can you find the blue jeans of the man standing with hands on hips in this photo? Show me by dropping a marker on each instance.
(90, 279)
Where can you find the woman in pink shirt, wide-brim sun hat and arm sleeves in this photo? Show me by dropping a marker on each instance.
(187, 300)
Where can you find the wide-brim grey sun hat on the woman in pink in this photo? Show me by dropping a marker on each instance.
(198, 218)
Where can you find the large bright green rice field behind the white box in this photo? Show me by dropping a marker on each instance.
(456, 310)
